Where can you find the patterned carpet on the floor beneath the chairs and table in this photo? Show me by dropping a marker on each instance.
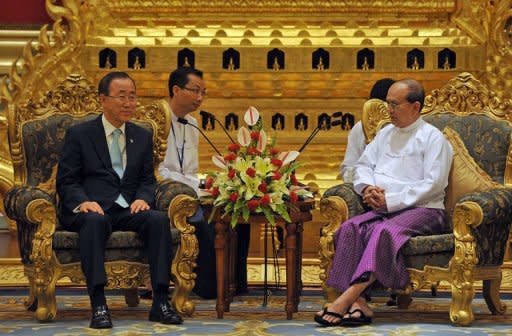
(426, 316)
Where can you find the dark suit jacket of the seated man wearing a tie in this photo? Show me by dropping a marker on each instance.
(85, 170)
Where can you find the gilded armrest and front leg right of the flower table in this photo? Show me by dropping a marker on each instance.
(337, 205)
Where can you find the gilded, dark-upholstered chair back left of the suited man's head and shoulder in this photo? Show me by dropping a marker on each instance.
(37, 129)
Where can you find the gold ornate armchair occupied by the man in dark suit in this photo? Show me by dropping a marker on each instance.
(49, 253)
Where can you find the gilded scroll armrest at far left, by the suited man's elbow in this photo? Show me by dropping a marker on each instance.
(35, 214)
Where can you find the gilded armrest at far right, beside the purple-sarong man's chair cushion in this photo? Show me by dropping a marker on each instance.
(482, 220)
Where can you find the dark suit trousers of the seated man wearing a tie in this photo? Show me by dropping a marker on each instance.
(94, 230)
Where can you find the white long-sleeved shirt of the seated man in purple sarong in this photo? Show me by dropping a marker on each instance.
(411, 164)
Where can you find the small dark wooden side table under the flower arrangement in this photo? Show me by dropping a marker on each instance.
(225, 252)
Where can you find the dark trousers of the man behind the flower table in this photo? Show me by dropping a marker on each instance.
(206, 281)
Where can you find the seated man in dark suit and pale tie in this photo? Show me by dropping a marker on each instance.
(106, 183)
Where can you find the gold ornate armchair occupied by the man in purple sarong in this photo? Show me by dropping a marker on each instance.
(479, 127)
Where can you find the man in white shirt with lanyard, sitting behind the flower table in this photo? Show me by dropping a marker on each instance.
(186, 94)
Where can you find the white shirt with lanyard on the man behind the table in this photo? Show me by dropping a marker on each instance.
(181, 135)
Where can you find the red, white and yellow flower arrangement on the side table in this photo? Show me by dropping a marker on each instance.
(256, 177)
